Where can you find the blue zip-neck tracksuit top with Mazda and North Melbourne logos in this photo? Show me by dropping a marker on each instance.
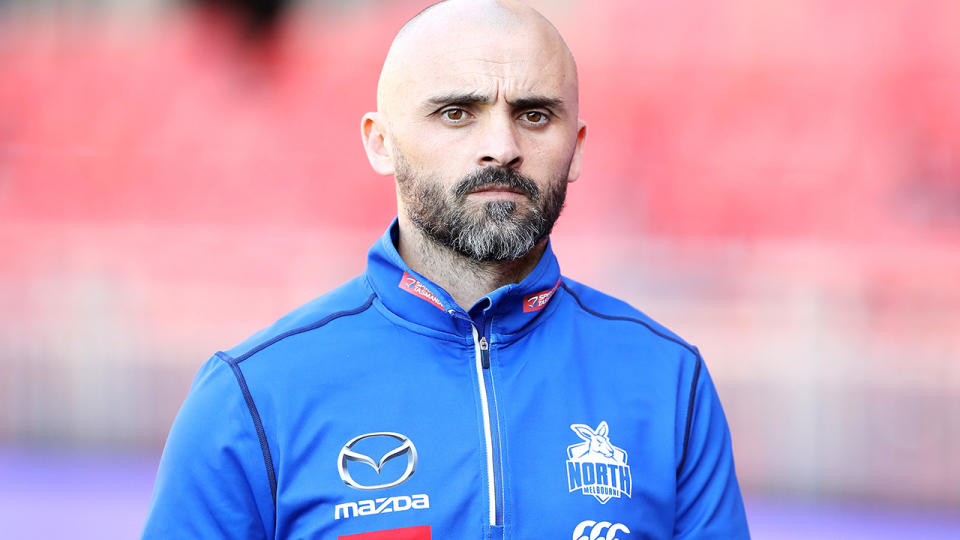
(383, 411)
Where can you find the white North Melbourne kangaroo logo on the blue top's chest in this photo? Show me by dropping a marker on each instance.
(597, 467)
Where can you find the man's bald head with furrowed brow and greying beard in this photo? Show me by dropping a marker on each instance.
(477, 120)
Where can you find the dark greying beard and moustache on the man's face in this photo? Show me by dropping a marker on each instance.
(493, 231)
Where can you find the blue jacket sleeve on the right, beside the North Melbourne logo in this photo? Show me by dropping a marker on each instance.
(709, 505)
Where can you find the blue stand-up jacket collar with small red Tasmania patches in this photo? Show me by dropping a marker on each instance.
(417, 300)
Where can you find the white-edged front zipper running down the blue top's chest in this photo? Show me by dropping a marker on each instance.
(491, 428)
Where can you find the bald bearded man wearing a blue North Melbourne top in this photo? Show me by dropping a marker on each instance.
(460, 388)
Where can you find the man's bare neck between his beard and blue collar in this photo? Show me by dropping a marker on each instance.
(466, 280)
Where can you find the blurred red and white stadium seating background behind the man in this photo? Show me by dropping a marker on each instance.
(777, 181)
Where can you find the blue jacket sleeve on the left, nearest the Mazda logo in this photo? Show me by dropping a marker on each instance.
(212, 481)
